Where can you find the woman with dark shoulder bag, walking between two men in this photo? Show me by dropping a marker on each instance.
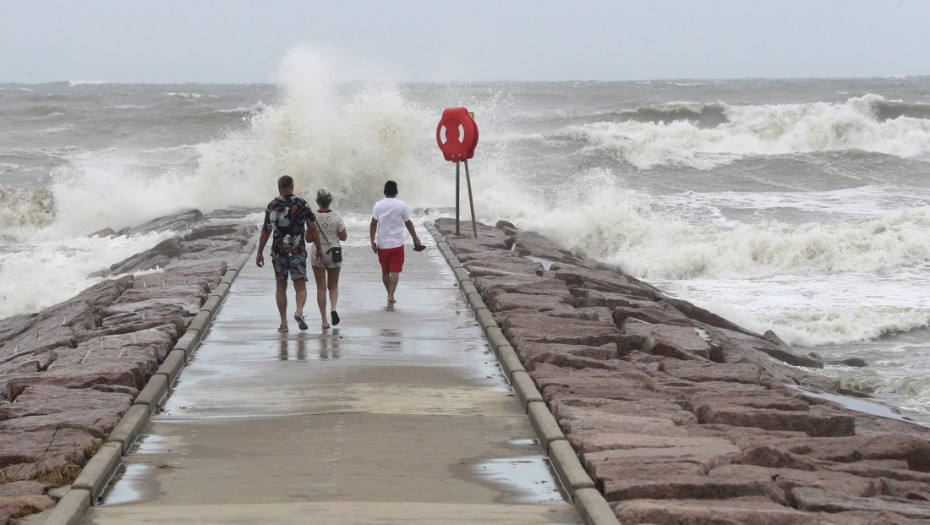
(326, 271)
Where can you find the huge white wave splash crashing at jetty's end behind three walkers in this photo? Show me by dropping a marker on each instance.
(351, 147)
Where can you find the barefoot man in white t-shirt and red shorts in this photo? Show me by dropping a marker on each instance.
(388, 218)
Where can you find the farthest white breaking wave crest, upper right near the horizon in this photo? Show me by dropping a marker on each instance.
(760, 130)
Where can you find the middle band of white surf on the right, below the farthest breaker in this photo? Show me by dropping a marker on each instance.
(621, 227)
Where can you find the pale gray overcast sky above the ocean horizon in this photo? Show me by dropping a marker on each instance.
(237, 41)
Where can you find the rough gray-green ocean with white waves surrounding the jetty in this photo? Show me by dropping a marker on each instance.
(796, 205)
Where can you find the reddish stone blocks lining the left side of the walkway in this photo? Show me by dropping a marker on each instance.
(69, 374)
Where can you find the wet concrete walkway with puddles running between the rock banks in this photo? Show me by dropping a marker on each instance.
(398, 415)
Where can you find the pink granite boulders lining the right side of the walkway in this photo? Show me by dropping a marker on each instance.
(678, 415)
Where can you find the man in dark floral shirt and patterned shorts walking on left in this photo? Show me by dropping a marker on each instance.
(291, 222)
